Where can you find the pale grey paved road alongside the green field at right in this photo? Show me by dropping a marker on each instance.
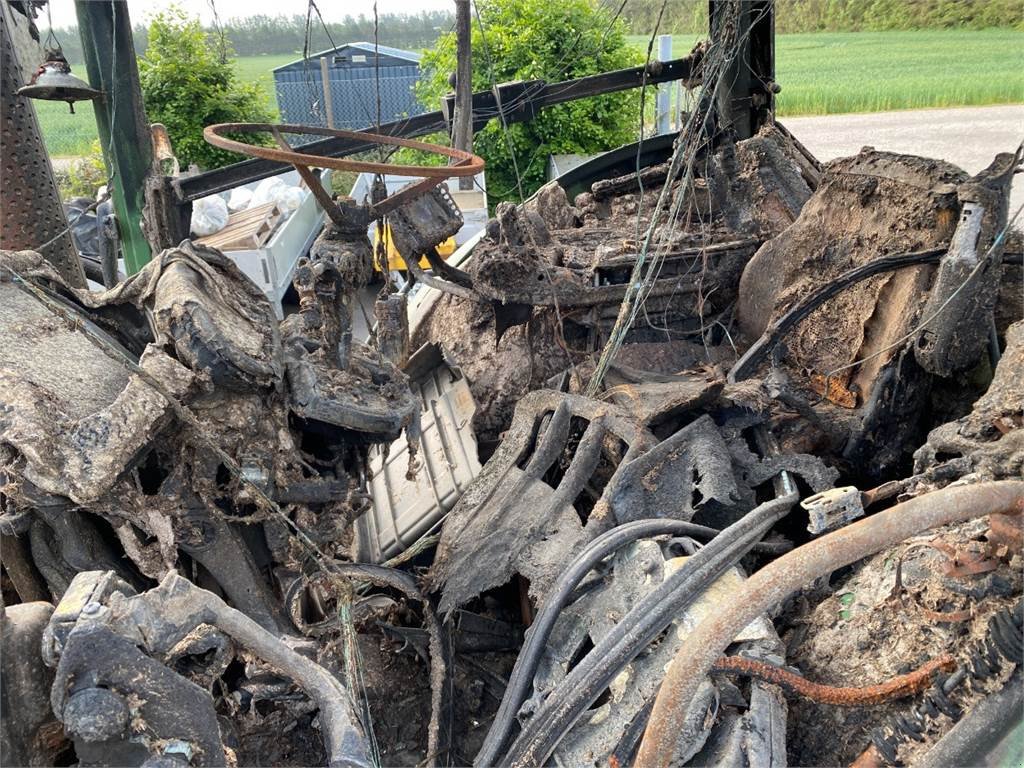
(968, 137)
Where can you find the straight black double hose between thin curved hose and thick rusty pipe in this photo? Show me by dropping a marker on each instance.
(637, 629)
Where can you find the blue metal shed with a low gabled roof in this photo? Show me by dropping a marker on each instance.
(352, 69)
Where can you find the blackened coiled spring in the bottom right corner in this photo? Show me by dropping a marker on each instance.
(986, 660)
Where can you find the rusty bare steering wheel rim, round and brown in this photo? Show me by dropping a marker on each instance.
(466, 163)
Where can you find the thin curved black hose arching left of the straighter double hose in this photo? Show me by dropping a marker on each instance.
(537, 637)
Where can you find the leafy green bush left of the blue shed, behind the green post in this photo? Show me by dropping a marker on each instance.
(189, 82)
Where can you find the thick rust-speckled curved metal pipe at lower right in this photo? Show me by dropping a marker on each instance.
(780, 579)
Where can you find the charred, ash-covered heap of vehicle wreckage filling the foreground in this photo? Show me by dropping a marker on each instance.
(718, 463)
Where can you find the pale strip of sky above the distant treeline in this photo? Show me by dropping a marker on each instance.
(332, 11)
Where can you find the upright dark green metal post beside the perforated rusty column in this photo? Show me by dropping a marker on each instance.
(124, 134)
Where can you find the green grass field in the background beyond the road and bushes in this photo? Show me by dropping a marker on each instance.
(821, 74)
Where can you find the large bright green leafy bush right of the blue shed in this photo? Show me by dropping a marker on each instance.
(551, 41)
